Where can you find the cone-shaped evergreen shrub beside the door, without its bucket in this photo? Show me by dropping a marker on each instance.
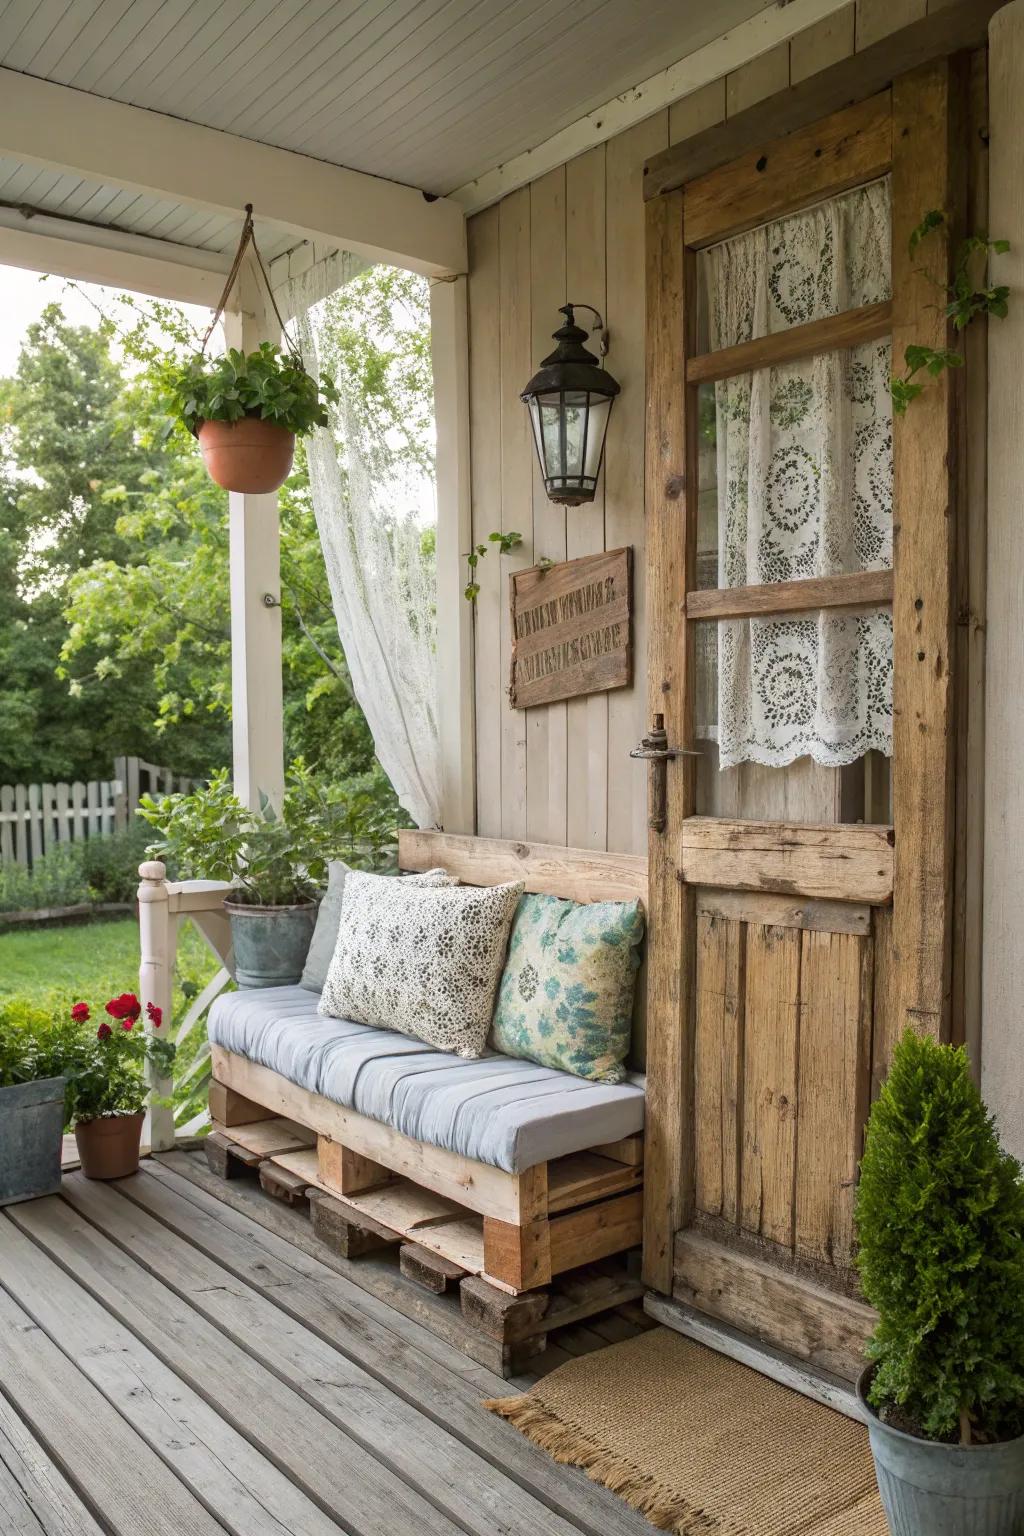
(940, 1220)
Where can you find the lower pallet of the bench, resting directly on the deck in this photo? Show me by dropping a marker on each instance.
(440, 1248)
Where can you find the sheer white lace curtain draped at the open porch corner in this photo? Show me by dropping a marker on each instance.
(383, 589)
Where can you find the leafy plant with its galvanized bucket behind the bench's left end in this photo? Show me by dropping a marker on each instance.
(274, 862)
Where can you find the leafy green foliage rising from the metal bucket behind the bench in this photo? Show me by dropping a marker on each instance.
(269, 858)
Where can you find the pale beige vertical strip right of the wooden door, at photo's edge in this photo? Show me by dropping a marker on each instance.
(1003, 935)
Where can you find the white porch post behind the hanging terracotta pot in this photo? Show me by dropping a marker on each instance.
(256, 572)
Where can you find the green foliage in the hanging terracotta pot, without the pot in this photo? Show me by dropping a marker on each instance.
(266, 383)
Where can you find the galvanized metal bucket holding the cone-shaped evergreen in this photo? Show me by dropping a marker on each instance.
(930, 1489)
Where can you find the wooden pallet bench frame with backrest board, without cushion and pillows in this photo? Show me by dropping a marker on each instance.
(518, 1250)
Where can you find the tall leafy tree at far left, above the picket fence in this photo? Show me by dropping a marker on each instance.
(65, 443)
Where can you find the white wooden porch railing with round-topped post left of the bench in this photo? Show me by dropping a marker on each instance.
(164, 905)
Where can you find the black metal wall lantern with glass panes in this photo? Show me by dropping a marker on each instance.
(570, 403)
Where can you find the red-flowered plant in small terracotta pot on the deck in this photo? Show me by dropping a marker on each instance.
(108, 1084)
